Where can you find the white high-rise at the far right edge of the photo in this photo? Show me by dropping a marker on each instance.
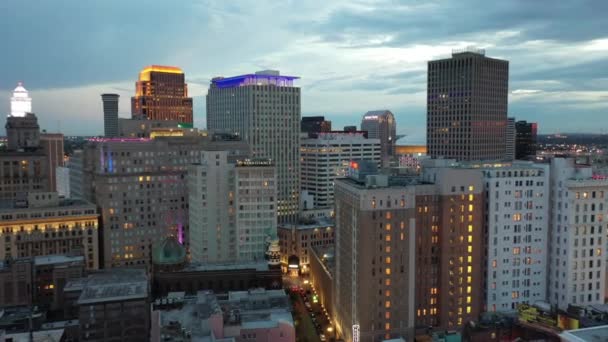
(577, 269)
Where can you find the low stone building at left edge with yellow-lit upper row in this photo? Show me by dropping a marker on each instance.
(46, 225)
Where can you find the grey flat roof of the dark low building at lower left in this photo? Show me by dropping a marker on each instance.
(114, 285)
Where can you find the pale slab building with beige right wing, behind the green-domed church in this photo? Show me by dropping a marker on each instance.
(232, 207)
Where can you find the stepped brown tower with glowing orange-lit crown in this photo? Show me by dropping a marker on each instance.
(161, 93)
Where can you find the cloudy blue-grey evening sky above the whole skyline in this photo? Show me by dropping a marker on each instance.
(352, 55)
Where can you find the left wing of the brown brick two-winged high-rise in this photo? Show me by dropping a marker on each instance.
(374, 282)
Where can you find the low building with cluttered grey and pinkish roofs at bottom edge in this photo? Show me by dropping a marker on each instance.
(254, 315)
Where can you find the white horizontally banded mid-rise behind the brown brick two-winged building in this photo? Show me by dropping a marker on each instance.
(327, 157)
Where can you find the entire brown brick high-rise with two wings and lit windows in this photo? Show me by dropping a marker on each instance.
(421, 264)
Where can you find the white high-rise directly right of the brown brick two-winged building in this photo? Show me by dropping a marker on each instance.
(517, 222)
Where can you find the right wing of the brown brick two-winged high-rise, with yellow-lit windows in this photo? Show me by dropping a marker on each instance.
(450, 247)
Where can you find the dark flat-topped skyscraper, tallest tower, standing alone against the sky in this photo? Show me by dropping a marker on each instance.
(467, 106)
